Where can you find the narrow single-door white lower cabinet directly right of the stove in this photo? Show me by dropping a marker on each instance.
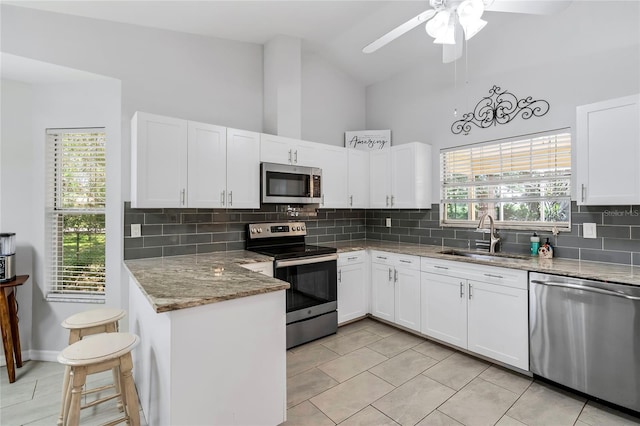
(352, 286)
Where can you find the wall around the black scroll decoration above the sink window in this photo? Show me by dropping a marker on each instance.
(567, 60)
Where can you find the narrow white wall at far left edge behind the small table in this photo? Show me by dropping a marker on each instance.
(17, 191)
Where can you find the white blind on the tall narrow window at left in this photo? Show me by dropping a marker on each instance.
(76, 197)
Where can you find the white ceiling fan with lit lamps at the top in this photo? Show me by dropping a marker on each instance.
(450, 22)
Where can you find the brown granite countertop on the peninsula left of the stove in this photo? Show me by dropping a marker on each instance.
(178, 282)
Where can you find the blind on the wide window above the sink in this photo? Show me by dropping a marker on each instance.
(522, 182)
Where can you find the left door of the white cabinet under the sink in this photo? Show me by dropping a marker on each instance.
(444, 308)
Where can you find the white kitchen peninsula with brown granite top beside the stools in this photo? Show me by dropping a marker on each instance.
(212, 340)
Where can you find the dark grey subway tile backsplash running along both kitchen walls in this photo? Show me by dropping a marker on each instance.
(170, 232)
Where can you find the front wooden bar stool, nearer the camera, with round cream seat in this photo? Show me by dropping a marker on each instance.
(96, 354)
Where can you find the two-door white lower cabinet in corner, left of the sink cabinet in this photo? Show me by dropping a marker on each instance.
(395, 281)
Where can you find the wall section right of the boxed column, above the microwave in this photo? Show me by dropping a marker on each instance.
(332, 102)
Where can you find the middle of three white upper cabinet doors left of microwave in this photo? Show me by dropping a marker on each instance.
(207, 166)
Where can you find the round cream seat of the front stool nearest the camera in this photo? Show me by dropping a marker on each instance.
(93, 350)
